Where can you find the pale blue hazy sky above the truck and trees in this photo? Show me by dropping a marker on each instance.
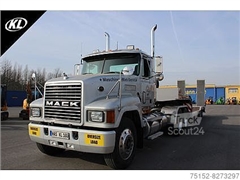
(194, 44)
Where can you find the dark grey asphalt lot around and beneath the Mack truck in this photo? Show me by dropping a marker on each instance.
(217, 148)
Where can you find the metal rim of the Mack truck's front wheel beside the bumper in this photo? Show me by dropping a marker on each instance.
(126, 144)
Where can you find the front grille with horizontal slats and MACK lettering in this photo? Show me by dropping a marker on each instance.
(63, 102)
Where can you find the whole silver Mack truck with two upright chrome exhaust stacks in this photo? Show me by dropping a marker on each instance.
(109, 109)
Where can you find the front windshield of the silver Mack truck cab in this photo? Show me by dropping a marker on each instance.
(111, 63)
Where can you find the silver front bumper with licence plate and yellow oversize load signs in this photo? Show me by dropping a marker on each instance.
(100, 142)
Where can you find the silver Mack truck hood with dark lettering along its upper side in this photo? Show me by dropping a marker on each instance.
(98, 86)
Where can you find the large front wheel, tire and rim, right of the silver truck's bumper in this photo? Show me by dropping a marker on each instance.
(125, 146)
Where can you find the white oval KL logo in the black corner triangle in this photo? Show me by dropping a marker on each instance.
(16, 24)
